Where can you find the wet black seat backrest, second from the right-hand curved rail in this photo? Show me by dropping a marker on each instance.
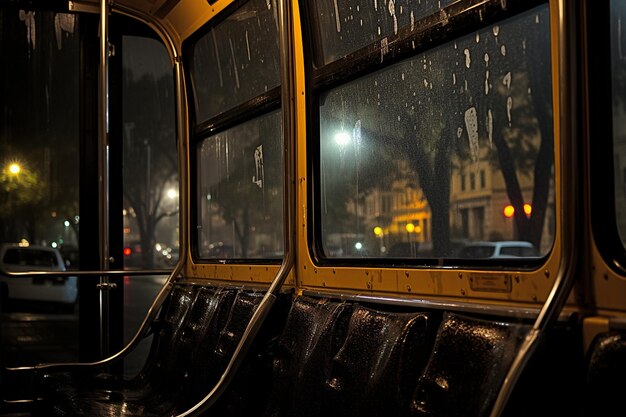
(382, 356)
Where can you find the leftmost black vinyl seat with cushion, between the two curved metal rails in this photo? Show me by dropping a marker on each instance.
(198, 329)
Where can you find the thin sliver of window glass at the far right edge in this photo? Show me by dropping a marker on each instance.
(618, 67)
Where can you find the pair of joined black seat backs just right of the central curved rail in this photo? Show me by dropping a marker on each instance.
(339, 359)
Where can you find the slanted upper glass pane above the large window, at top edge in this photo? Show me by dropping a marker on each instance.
(348, 25)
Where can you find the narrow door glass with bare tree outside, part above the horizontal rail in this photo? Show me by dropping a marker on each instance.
(150, 156)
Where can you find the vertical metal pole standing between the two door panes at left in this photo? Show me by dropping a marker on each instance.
(103, 172)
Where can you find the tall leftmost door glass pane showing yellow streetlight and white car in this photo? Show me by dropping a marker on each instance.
(39, 183)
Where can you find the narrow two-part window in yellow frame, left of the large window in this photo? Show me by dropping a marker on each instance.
(235, 76)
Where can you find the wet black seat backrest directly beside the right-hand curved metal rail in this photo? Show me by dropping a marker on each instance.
(469, 361)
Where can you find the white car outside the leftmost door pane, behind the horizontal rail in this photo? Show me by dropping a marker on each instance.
(17, 258)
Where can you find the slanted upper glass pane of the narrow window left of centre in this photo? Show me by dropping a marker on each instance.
(237, 60)
